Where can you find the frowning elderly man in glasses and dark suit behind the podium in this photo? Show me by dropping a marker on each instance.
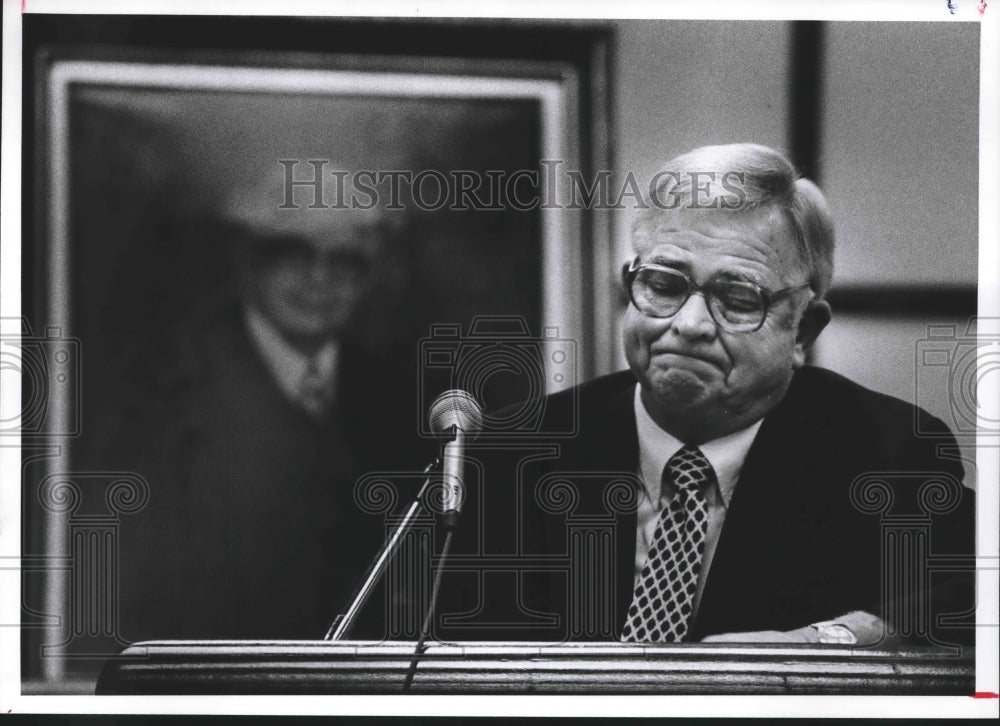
(740, 479)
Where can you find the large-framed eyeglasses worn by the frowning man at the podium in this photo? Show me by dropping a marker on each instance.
(736, 306)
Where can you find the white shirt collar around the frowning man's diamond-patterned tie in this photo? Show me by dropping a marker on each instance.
(656, 446)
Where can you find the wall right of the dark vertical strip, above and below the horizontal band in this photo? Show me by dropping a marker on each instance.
(900, 169)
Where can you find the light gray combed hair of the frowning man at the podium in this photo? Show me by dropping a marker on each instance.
(743, 177)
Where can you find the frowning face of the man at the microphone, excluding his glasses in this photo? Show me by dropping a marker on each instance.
(699, 381)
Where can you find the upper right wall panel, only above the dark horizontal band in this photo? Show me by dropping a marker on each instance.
(900, 161)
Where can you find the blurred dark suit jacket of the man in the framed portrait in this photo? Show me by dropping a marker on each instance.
(251, 530)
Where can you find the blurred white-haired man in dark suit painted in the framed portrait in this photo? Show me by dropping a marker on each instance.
(252, 421)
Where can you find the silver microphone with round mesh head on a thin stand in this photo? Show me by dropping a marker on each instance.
(457, 417)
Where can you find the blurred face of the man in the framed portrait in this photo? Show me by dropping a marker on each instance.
(308, 288)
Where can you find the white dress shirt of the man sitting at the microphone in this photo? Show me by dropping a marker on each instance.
(656, 447)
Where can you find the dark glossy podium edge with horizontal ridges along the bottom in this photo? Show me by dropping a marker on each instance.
(365, 667)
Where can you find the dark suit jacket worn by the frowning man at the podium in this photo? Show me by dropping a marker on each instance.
(797, 547)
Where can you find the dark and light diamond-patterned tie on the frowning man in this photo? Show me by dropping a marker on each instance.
(664, 596)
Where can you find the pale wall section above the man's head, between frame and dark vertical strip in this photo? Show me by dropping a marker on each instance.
(682, 84)
